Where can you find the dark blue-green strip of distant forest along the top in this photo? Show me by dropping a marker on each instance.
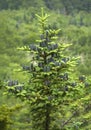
(61, 6)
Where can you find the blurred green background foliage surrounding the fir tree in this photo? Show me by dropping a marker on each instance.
(18, 27)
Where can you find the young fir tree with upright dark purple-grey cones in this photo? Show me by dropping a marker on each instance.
(50, 87)
